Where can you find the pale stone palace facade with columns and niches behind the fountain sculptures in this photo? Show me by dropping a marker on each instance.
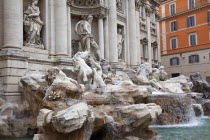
(36, 35)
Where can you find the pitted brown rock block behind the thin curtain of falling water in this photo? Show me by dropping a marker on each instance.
(177, 108)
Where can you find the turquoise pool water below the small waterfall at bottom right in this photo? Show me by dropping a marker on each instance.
(196, 130)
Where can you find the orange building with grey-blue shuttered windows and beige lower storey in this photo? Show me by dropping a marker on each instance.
(185, 37)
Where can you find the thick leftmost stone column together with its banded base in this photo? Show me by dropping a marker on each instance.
(13, 60)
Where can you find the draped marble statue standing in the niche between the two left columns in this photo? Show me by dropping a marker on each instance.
(33, 24)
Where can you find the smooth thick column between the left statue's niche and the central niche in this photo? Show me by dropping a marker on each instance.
(61, 27)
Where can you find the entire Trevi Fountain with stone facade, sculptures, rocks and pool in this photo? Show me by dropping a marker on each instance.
(90, 70)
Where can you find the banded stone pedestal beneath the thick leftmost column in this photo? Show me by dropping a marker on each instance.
(14, 65)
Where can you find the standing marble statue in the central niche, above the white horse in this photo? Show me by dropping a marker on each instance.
(83, 28)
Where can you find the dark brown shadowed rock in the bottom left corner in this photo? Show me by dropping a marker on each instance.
(14, 122)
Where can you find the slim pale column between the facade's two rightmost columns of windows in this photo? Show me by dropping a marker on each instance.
(148, 12)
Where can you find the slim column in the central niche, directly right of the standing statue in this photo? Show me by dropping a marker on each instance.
(101, 34)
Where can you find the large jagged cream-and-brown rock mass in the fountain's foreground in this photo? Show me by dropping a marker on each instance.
(64, 108)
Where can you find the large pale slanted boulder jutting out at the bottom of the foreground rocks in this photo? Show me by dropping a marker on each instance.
(70, 119)
